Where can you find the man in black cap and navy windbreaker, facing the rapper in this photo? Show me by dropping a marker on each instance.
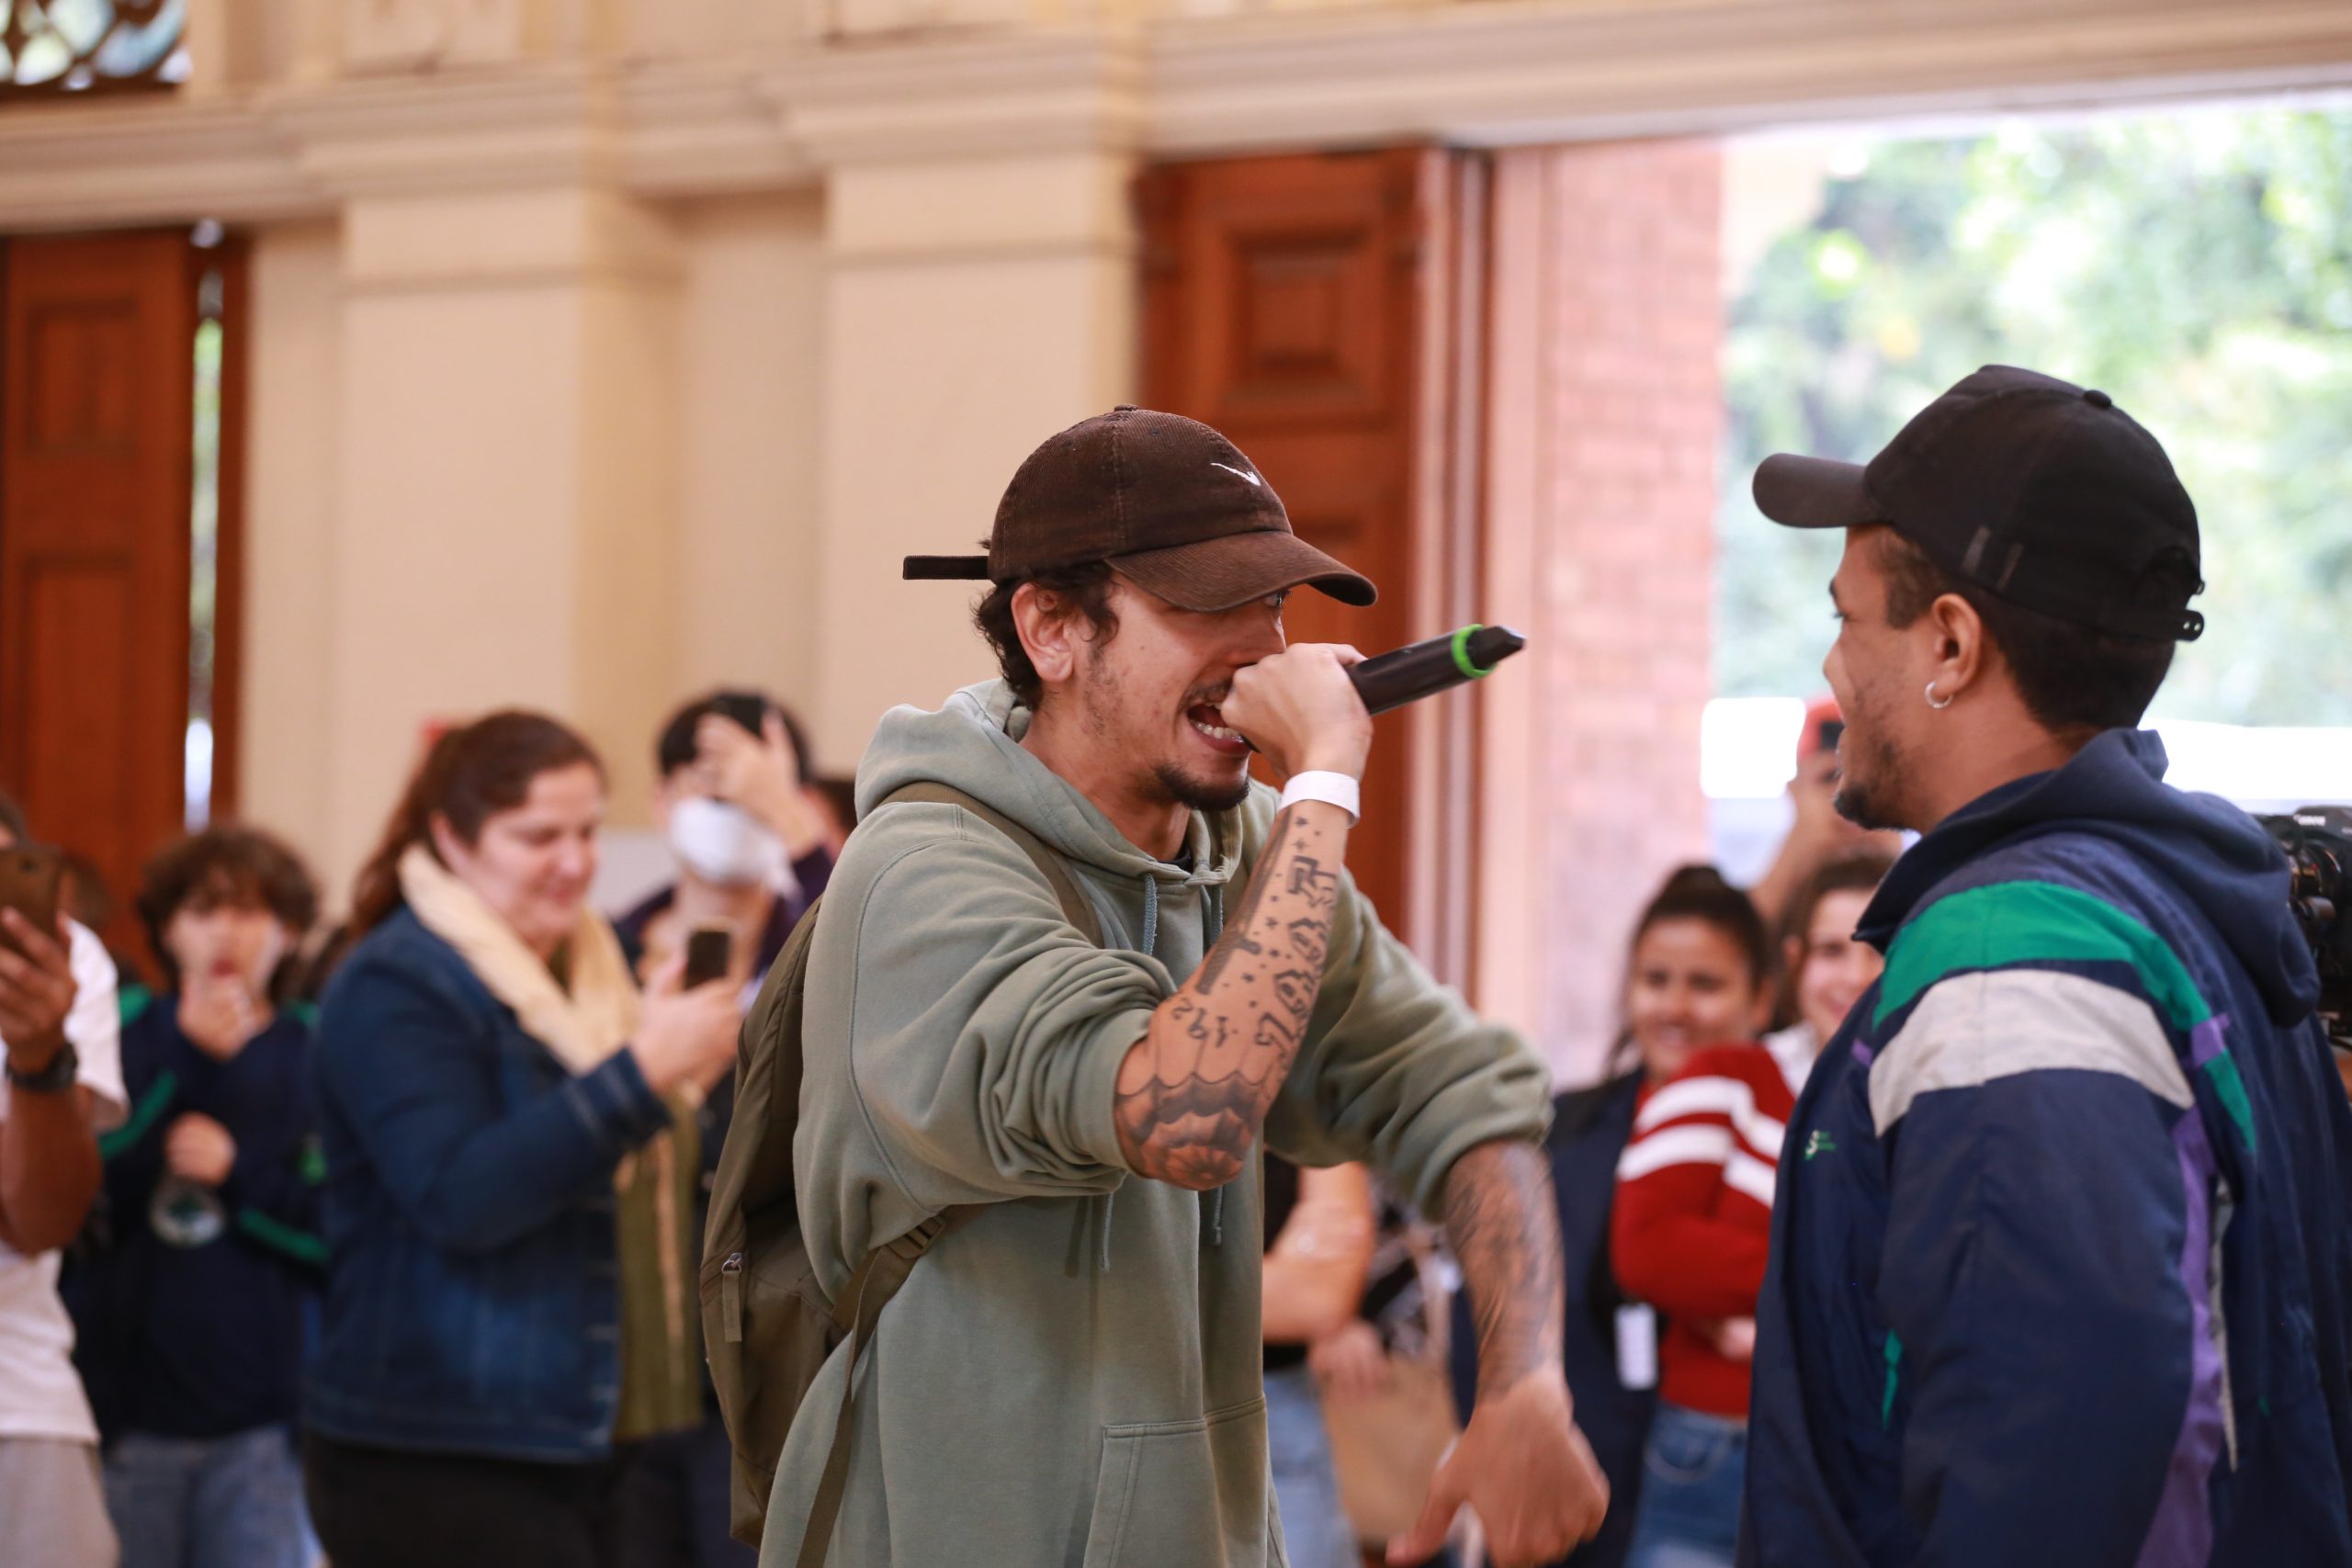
(2064, 1235)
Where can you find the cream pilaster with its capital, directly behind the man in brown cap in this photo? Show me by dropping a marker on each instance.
(982, 295)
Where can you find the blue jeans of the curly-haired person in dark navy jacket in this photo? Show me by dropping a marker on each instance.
(208, 1503)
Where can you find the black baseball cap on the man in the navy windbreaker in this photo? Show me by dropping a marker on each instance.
(2031, 488)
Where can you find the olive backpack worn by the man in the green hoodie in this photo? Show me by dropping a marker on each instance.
(768, 1325)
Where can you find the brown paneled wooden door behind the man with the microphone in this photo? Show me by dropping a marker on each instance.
(1290, 304)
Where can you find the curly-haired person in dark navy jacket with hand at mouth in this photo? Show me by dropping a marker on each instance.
(189, 1311)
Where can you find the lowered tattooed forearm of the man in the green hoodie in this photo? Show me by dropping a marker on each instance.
(1504, 1228)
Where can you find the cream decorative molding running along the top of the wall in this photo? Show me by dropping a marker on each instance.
(1476, 72)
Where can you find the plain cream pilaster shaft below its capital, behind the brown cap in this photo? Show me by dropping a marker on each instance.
(973, 311)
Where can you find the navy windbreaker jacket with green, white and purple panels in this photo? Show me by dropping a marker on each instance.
(2062, 1247)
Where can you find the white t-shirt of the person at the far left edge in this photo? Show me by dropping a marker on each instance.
(41, 1395)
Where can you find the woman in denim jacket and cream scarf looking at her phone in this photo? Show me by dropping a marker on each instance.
(509, 1165)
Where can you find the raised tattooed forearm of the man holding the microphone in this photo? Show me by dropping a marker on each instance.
(1194, 1092)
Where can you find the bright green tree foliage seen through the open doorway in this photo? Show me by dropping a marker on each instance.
(2198, 267)
